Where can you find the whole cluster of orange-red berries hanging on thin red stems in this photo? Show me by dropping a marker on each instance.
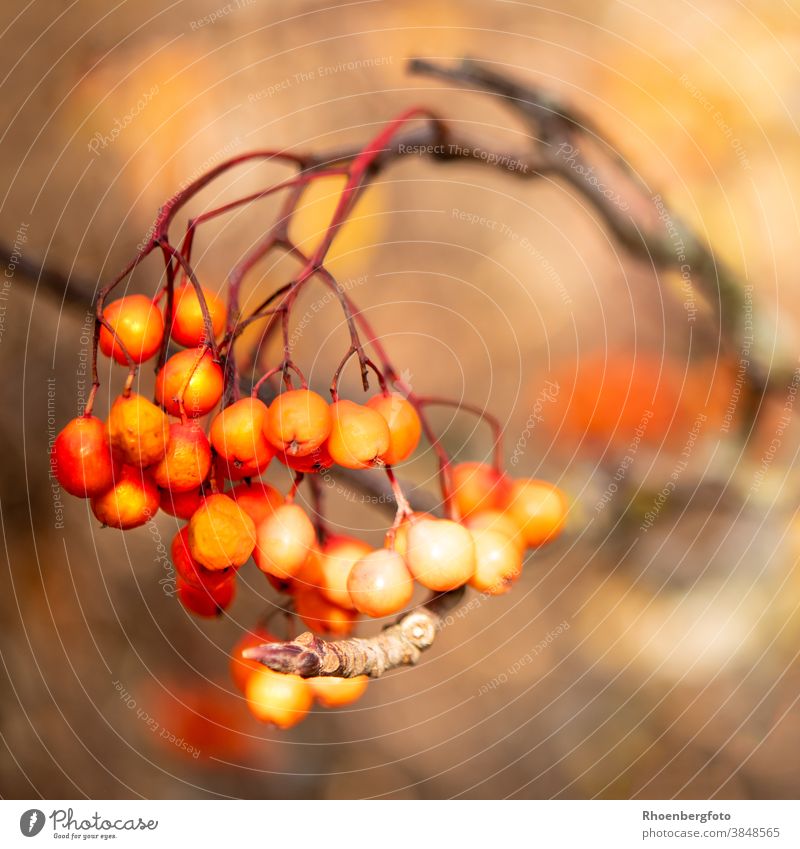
(198, 452)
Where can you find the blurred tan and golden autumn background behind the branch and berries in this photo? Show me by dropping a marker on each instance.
(651, 652)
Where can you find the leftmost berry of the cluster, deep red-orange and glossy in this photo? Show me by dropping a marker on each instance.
(81, 458)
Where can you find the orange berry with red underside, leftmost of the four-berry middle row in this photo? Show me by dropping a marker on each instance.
(238, 438)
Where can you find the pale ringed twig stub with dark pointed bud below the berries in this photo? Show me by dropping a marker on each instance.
(400, 644)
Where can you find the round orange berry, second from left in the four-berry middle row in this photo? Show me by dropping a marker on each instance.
(298, 422)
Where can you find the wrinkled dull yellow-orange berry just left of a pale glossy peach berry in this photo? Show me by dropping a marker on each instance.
(221, 534)
